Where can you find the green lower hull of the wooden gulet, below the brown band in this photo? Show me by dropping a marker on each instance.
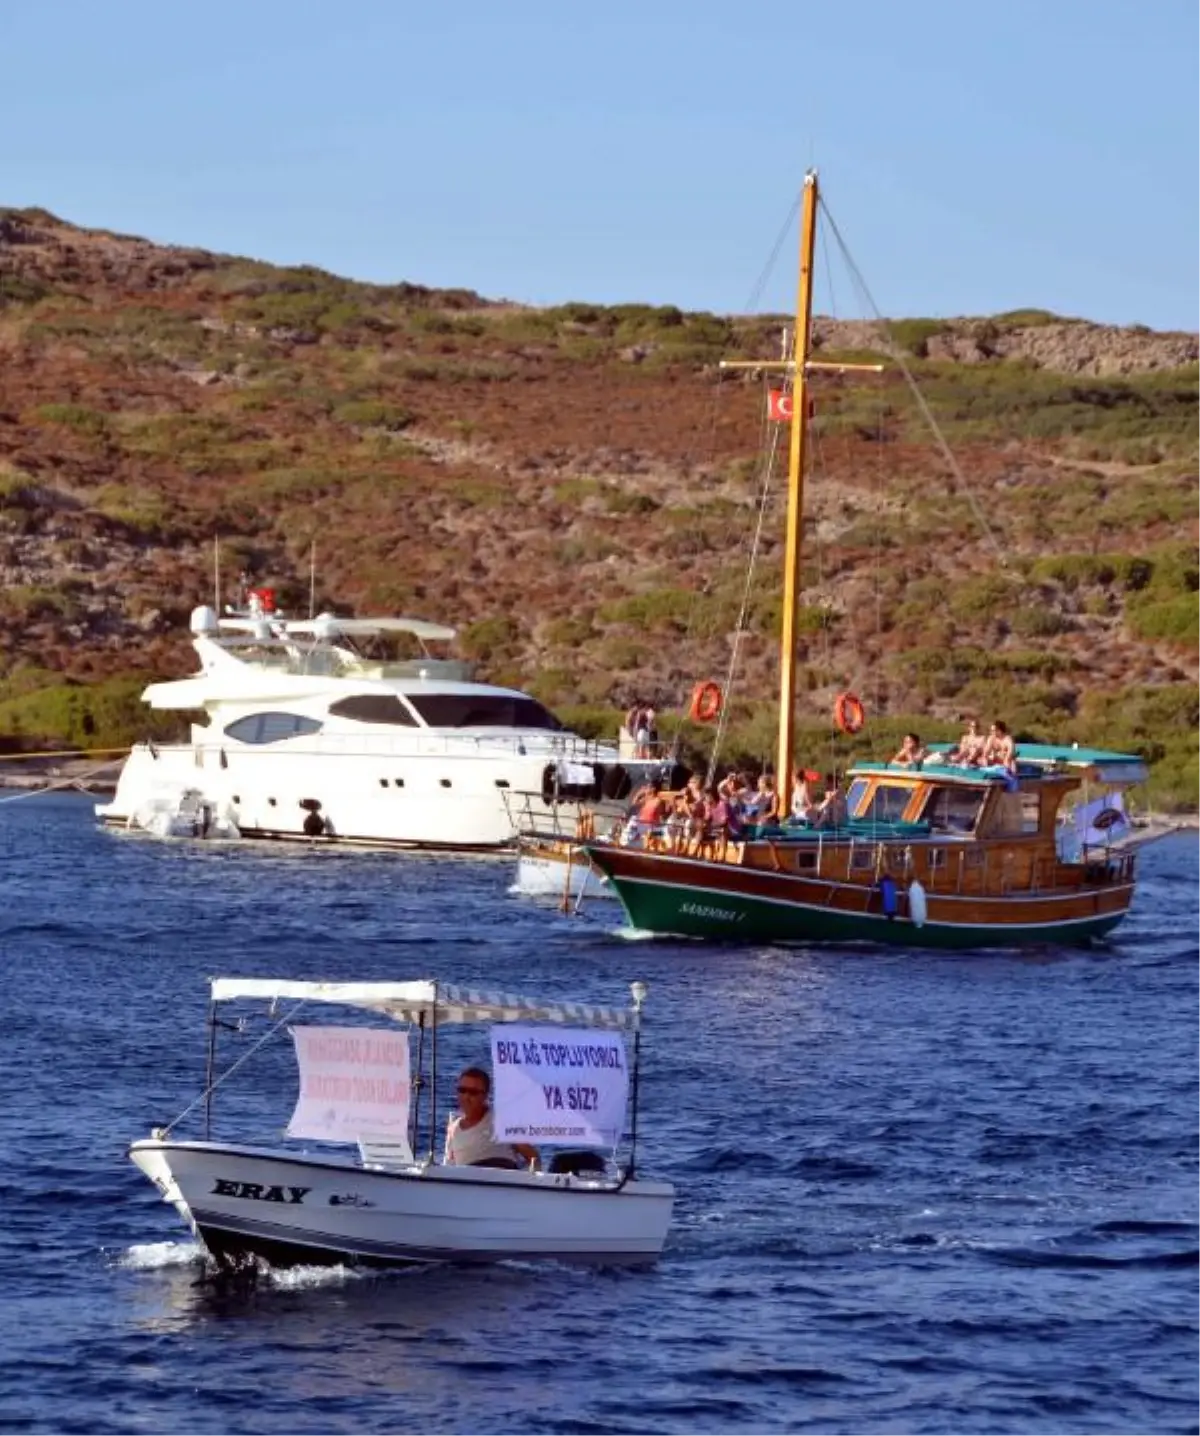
(672, 910)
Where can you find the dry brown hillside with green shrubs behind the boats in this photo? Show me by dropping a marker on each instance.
(576, 489)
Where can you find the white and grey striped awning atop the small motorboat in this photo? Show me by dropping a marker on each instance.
(434, 1002)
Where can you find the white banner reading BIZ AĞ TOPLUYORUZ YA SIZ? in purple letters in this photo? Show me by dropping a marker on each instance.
(559, 1086)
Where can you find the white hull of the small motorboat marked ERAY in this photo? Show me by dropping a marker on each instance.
(258, 1204)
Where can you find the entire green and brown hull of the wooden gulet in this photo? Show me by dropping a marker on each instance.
(731, 904)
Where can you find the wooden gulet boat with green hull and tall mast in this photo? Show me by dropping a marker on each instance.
(938, 857)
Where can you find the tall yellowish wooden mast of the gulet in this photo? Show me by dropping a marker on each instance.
(796, 486)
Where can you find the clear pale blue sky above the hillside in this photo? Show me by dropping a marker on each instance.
(977, 156)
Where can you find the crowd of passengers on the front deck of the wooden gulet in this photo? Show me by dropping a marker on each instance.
(700, 816)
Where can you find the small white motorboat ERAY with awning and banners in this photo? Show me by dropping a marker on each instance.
(562, 1081)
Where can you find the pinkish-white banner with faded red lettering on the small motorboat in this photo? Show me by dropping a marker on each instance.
(354, 1083)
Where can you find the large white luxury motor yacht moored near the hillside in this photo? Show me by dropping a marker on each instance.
(304, 737)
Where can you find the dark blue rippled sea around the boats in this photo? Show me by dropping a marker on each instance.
(917, 1194)
